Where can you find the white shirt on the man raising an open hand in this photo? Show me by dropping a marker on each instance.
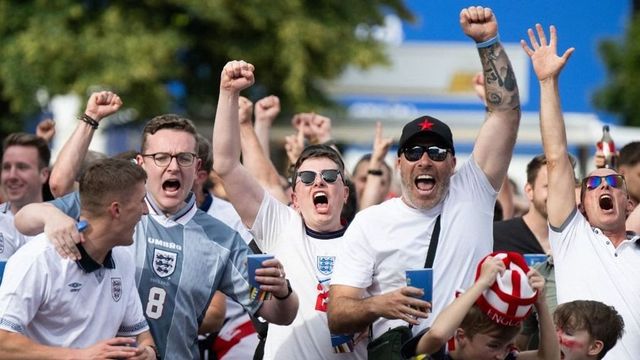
(589, 267)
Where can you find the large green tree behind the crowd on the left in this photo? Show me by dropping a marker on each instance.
(137, 47)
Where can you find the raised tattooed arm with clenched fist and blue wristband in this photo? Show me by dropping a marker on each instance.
(497, 136)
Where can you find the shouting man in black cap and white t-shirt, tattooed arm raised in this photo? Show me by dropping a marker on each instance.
(369, 286)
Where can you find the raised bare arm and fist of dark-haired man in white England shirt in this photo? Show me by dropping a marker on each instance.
(244, 192)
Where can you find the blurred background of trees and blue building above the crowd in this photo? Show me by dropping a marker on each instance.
(356, 61)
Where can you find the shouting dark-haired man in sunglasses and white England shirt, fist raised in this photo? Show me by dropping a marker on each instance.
(306, 237)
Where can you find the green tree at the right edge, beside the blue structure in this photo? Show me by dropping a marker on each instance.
(621, 95)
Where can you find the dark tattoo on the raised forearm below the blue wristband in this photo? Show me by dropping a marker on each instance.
(500, 80)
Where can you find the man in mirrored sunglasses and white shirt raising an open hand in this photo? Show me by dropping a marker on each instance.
(595, 257)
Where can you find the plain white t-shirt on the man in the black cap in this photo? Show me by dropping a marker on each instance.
(385, 240)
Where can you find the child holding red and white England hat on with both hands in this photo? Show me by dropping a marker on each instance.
(483, 322)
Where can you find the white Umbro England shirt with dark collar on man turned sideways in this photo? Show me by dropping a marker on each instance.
(59, 302)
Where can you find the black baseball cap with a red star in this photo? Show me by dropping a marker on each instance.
(427, 127)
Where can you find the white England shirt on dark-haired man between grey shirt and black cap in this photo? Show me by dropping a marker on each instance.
(308, 259)
